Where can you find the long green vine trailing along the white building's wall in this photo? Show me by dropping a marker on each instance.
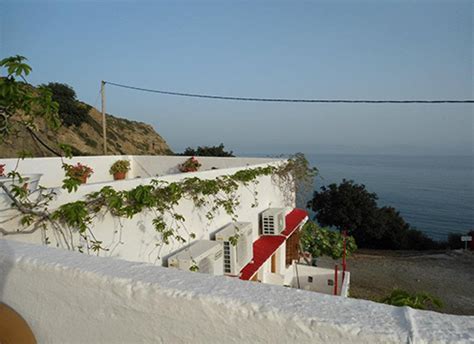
(210, 196)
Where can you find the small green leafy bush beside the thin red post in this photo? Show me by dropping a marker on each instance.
(321, 241)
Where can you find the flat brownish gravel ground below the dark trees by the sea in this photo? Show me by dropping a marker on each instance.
(448, 275)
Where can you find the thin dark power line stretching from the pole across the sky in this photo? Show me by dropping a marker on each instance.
(286, 100)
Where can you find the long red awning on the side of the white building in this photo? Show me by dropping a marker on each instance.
(265, 246)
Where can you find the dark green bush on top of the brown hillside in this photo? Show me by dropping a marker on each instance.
(71, 111)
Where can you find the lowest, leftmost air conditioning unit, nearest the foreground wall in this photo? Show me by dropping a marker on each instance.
(206, 255)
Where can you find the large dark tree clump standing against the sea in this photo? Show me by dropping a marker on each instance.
(350, 207)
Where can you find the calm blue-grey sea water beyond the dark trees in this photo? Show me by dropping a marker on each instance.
(435, 194)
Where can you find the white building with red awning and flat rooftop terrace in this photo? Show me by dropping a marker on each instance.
(271, 252)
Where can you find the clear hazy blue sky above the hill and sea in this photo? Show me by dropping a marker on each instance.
(278, 49)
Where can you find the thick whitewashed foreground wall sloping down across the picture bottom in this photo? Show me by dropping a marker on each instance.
(67, 297)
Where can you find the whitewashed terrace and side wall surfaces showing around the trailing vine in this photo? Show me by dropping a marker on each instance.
(135, 239)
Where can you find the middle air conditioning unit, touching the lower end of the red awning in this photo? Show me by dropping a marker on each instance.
(238, 255)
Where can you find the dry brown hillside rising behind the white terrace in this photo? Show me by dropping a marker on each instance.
(123, 137)
